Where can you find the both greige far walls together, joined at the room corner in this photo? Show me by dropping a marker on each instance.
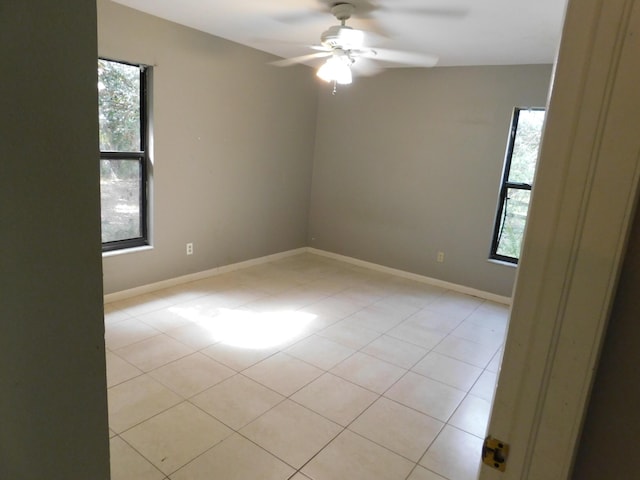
(406, 163)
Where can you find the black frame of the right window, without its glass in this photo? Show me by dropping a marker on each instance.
(505, 186)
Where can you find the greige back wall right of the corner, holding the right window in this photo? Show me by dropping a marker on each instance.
(408, 163)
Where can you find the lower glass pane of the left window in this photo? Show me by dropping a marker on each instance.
(120, 196)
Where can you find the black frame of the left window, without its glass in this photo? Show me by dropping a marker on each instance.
(142, 157)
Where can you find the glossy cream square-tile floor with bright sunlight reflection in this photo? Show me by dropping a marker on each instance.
(302, 368)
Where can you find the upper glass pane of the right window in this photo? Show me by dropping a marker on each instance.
(525, 147)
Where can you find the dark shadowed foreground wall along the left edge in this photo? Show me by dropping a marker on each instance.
(53, 405)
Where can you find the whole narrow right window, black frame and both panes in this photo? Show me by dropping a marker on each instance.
(517, 180)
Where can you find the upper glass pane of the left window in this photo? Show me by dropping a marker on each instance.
(119, 106)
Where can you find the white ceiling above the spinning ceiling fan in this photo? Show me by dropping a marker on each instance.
(459, 32)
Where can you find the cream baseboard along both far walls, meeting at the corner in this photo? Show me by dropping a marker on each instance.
(192, 277)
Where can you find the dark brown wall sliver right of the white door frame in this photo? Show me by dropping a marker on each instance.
(611, 430)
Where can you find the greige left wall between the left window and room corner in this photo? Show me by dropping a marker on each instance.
(233, 148)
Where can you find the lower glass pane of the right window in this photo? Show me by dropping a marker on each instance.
(514, 217)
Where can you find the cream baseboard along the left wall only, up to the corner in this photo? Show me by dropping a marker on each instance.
(192, 277)
